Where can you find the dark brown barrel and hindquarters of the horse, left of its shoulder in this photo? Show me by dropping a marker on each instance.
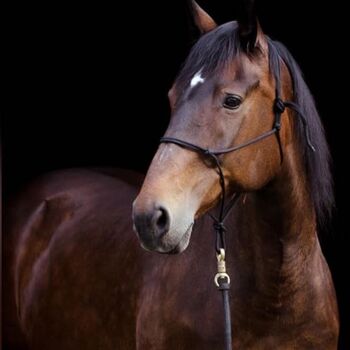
(68, 240)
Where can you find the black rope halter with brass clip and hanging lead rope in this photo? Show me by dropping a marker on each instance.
(222, 280)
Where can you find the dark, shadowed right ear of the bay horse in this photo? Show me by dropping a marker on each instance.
(247, 24)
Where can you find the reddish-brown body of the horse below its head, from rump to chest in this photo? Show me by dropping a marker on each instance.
(81, 281)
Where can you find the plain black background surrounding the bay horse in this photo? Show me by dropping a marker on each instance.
(86, 85)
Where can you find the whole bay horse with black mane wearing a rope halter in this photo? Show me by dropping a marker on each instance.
(75, 275)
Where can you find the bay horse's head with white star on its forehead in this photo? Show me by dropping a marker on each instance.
(224, 96)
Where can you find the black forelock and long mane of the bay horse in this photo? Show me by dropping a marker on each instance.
(218, 48)
